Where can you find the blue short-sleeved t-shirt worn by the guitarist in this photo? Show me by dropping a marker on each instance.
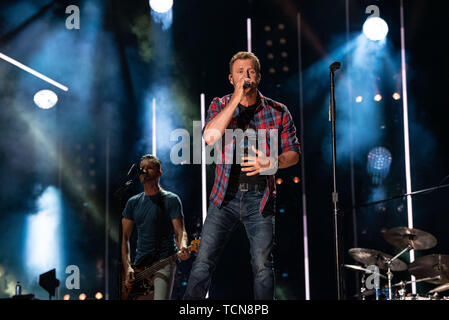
(143, 210)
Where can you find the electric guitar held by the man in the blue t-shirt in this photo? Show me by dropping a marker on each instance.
(144, 275)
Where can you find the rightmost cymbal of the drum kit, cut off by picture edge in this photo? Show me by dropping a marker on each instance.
(432, 265)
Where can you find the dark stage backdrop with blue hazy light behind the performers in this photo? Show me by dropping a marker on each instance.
(60, 167)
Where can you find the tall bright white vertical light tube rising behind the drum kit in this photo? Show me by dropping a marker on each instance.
(408, 178)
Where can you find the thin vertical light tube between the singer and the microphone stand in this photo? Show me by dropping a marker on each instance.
(303, 176)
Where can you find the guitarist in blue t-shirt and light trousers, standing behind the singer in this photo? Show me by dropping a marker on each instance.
(158, 217)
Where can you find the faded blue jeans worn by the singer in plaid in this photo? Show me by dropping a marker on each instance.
(244, 207)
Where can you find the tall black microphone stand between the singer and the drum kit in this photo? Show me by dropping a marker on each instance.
(333, 67)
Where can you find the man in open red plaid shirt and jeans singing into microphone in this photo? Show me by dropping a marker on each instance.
(244, 188)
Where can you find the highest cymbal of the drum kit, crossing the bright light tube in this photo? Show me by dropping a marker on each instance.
(401, 237)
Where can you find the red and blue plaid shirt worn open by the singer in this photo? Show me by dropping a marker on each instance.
(269, 114)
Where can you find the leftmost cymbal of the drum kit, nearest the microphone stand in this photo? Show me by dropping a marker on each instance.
(374, 257)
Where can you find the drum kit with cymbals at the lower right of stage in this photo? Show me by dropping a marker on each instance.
(432, 268)
